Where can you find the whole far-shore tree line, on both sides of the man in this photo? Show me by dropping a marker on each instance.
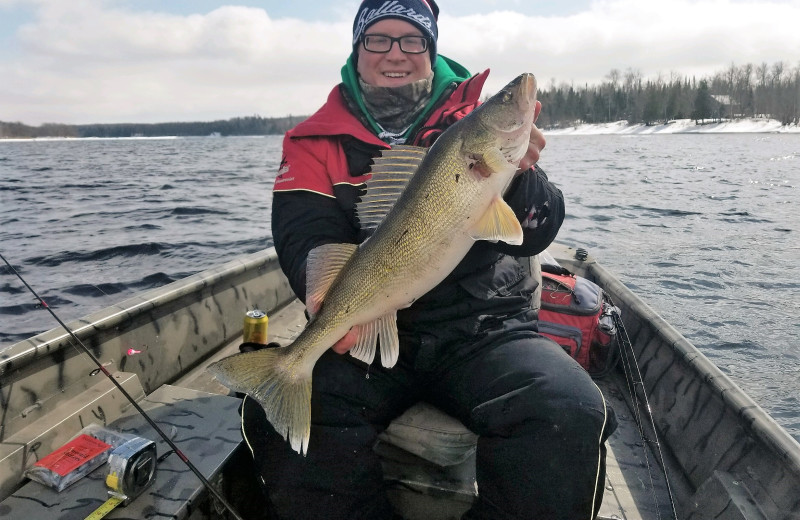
(766, 91)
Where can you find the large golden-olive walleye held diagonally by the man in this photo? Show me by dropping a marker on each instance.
(429, 209)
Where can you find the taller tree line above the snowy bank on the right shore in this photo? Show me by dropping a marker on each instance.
(765, 91)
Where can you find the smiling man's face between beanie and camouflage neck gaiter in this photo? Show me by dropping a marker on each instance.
(394, 68)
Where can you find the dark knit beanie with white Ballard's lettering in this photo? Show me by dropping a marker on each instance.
(422, 14)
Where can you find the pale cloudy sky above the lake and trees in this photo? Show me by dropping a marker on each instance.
(127, 61)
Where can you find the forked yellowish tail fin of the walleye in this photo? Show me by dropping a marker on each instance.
(286, 399)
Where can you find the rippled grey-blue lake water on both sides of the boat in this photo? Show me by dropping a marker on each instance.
(705, 228)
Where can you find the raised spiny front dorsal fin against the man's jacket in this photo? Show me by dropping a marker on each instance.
(390, 175)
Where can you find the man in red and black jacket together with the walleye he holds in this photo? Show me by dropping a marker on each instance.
(404, 252)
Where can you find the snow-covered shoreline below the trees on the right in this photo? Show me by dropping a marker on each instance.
(680, 126)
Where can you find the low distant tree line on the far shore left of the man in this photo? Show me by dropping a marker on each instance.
(252, 125)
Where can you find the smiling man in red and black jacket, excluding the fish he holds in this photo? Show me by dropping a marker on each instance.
(469, 346)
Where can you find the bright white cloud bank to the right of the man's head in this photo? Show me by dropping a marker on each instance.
(684, 37)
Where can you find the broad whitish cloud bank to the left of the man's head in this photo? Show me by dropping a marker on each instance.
(86, 63)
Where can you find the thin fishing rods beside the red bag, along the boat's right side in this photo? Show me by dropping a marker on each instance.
(629, 363)
